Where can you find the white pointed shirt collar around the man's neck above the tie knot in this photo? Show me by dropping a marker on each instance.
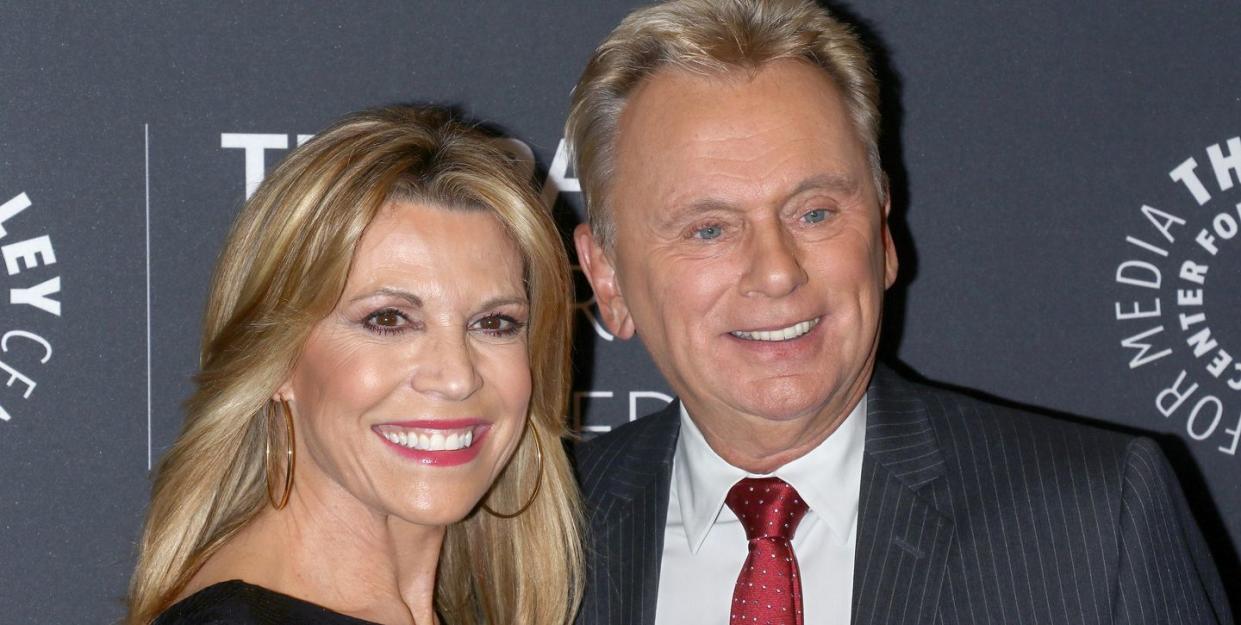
(828, 478)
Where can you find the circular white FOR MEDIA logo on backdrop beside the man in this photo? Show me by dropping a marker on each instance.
(1181, 313)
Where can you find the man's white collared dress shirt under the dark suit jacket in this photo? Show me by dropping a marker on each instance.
(706, 545)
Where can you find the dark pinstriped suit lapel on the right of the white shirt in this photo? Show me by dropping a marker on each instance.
(903, 539)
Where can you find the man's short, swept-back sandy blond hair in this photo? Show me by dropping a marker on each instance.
(709, 37)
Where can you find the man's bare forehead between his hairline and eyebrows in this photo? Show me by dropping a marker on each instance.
(692, 143)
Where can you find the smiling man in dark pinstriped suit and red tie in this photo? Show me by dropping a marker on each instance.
(738, 225)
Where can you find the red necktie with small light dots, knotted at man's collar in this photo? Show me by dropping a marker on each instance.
(770, 587)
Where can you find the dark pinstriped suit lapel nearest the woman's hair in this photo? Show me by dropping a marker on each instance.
(630, 519)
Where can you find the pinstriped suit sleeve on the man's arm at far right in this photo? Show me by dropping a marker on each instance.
(1166, 575)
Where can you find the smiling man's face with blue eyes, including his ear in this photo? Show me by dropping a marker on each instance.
(751, 251)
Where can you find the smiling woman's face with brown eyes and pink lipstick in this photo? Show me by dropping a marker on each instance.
(411, 396)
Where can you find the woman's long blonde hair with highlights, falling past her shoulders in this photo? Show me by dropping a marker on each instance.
(284, 268)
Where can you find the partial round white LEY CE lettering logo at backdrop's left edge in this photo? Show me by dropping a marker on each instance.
(33, 285)
